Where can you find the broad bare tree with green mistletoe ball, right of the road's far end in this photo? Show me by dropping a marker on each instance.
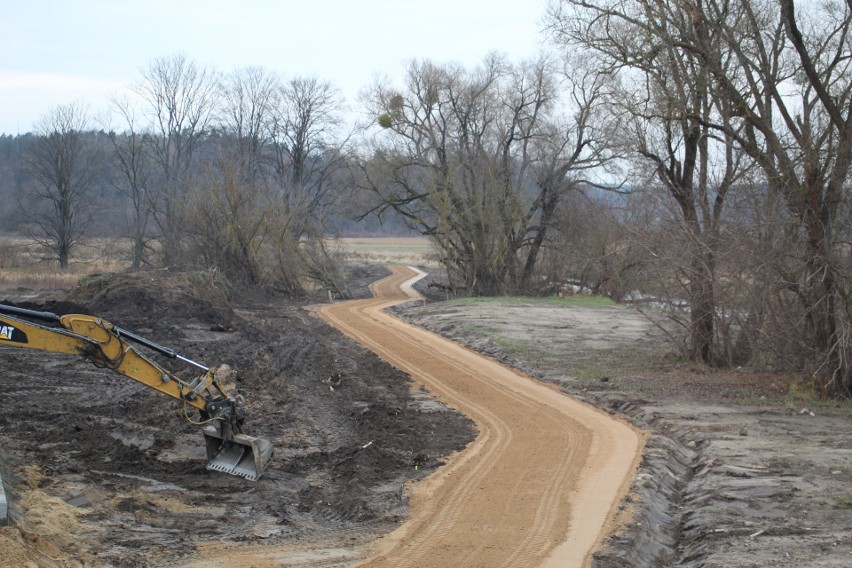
(477, 161)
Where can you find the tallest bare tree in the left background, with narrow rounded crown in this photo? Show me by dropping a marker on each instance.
(180, 95)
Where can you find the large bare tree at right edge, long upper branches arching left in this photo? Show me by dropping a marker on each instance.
(784, 82)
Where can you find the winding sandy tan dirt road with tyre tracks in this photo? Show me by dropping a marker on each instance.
(540, 484)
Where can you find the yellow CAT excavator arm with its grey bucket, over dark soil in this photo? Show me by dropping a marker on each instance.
(107, 345)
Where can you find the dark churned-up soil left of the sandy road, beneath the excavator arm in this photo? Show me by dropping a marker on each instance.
(101, 471)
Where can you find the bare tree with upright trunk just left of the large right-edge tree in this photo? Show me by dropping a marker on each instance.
(665, 102)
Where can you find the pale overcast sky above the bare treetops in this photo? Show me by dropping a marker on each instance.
(56, 51)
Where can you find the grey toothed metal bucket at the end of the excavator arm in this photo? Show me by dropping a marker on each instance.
(241, 455)
